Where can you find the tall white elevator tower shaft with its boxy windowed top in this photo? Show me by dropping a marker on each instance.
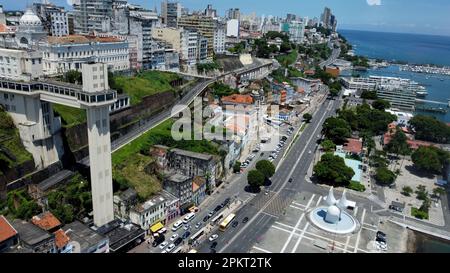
(95, 81)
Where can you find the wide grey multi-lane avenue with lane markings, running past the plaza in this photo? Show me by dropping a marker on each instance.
(263, 209)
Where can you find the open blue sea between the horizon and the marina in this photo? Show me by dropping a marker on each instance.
(412, 48)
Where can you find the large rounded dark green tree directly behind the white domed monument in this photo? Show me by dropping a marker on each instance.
(332, 169)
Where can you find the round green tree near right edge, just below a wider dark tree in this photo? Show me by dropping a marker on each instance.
(429, 159)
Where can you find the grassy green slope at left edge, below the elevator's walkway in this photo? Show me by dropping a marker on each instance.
(12, 144)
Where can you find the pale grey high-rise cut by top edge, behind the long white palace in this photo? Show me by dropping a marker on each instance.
(93, 16)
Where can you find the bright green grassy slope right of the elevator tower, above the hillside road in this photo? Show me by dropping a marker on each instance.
(144, 84)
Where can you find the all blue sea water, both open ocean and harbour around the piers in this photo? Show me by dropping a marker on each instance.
(409, 48)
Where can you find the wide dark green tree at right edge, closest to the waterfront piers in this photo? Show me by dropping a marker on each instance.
(430, 129)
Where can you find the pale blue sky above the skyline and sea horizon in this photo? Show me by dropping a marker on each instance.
(411, 16)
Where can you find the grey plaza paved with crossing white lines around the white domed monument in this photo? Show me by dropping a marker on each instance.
(294, 233)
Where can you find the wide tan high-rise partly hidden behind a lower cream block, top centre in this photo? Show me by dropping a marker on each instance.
(202, 24)
